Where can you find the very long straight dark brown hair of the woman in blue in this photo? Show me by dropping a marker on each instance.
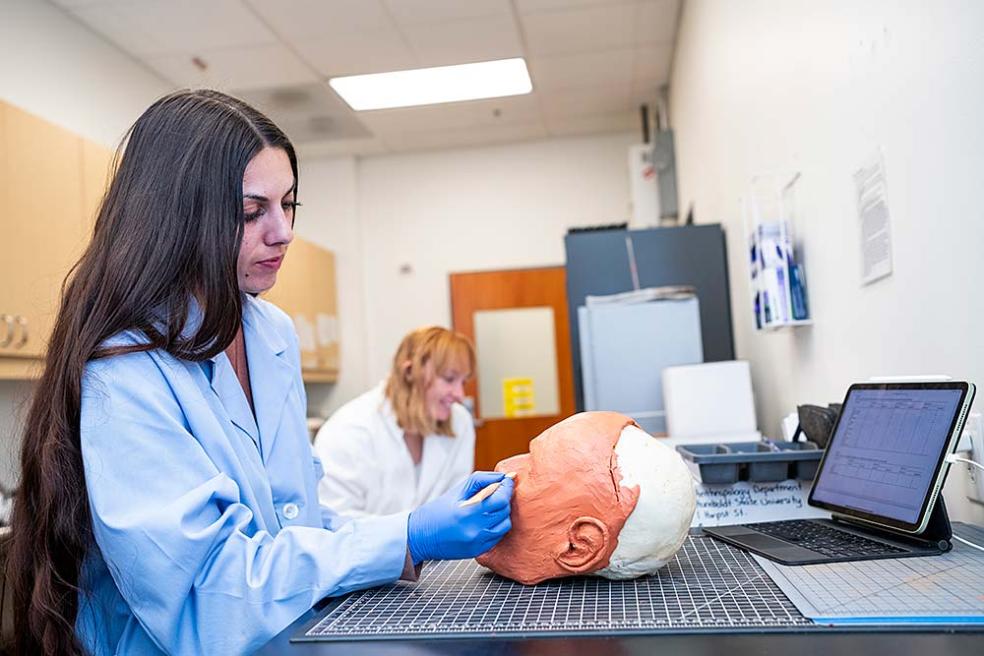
(168, 230)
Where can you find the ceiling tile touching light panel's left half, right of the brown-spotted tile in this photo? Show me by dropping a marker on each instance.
(352, 54)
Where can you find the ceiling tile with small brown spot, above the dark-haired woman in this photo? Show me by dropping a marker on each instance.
(236, 68)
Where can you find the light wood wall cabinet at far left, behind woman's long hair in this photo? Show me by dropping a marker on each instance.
(50, 181)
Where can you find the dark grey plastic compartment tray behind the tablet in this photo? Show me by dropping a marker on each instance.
(766, 460)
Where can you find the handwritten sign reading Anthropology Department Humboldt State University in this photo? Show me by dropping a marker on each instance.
(744, 502)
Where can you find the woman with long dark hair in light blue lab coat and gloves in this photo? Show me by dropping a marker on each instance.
(168, 495)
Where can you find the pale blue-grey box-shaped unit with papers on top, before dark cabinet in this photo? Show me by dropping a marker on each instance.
(624, 348)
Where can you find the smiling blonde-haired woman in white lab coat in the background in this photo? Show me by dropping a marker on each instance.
(406, 441)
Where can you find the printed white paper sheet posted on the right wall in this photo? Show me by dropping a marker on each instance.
(875, 224)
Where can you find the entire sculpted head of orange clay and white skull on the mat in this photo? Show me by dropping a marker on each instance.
(595, 495)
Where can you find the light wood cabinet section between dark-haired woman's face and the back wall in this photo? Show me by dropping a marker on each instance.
(305, 290)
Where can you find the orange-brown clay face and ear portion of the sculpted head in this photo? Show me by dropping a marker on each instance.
(569, 503)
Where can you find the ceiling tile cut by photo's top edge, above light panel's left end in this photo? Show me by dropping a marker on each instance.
(303, 19)
